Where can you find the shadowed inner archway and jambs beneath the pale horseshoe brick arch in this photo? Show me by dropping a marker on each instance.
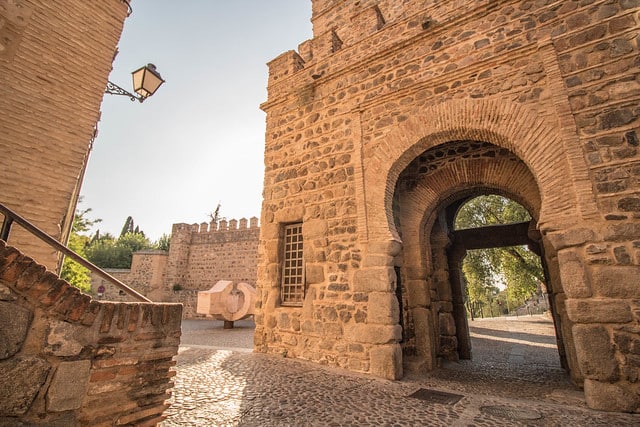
(433, 184)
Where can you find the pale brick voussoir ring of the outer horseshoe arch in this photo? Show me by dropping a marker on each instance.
(532, 138)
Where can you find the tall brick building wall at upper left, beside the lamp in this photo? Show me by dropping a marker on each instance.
(55, 58)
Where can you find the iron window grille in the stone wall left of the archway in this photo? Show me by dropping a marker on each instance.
(292, 287)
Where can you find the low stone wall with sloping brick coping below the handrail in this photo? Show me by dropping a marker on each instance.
(71, 360)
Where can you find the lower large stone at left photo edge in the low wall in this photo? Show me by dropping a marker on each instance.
(25, 375)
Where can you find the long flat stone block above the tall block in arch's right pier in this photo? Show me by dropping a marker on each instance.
(598, 310)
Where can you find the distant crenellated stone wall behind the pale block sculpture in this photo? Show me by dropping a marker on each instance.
(199, 256)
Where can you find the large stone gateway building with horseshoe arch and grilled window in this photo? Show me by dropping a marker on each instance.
(394, 115)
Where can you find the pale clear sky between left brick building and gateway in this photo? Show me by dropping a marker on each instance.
(199, 140)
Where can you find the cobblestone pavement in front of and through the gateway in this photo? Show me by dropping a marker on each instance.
(514, 379)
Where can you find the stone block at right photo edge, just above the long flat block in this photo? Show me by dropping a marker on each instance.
(616, 281)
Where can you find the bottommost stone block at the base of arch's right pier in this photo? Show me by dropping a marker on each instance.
(604, 396)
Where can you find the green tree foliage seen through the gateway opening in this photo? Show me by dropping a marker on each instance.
(517, 267)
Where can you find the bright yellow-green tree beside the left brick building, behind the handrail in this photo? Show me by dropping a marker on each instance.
(73, 272)
